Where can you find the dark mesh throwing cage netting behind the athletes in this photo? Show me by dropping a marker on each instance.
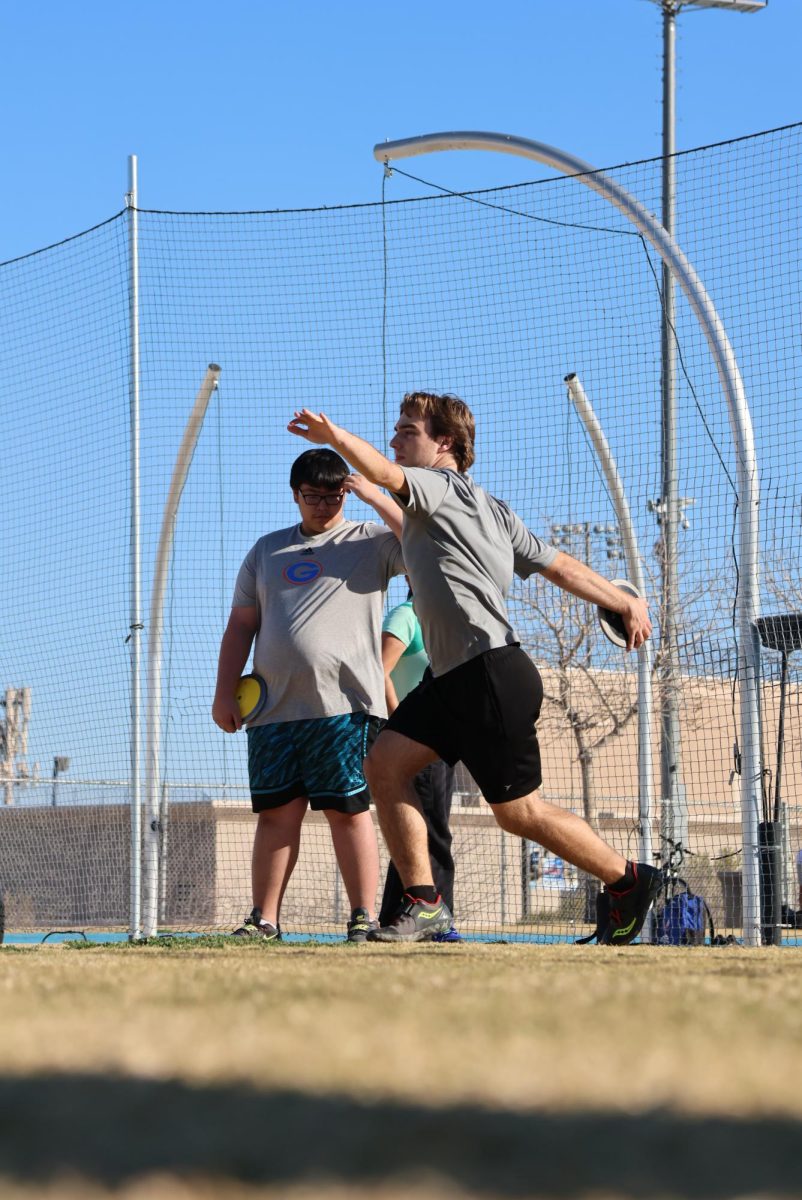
(495, 296)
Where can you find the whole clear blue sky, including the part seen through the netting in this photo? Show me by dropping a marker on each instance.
(236, 106)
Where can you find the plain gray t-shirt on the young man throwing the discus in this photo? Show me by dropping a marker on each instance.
(462, 548)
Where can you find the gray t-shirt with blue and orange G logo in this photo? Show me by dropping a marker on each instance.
(320, 602)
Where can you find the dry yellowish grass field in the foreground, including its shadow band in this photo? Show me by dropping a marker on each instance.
(210, 1070)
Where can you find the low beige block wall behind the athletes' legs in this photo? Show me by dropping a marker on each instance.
(68, 868)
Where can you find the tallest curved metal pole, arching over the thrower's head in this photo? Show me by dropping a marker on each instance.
(743, 435)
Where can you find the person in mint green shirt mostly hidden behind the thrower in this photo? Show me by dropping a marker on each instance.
(405, 662)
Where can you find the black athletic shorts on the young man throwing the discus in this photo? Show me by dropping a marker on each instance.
(483, 715)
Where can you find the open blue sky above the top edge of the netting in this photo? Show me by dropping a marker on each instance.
(278, 104)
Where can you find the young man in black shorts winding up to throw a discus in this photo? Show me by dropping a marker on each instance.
(462, 548)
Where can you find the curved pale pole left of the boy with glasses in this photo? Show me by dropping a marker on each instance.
(153, 730)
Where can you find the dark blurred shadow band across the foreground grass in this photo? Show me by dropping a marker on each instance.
(112, 1131)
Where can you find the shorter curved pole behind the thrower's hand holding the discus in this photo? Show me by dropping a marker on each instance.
(636, 573)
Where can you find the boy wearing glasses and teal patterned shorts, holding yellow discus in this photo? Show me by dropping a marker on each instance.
(312, 599)
